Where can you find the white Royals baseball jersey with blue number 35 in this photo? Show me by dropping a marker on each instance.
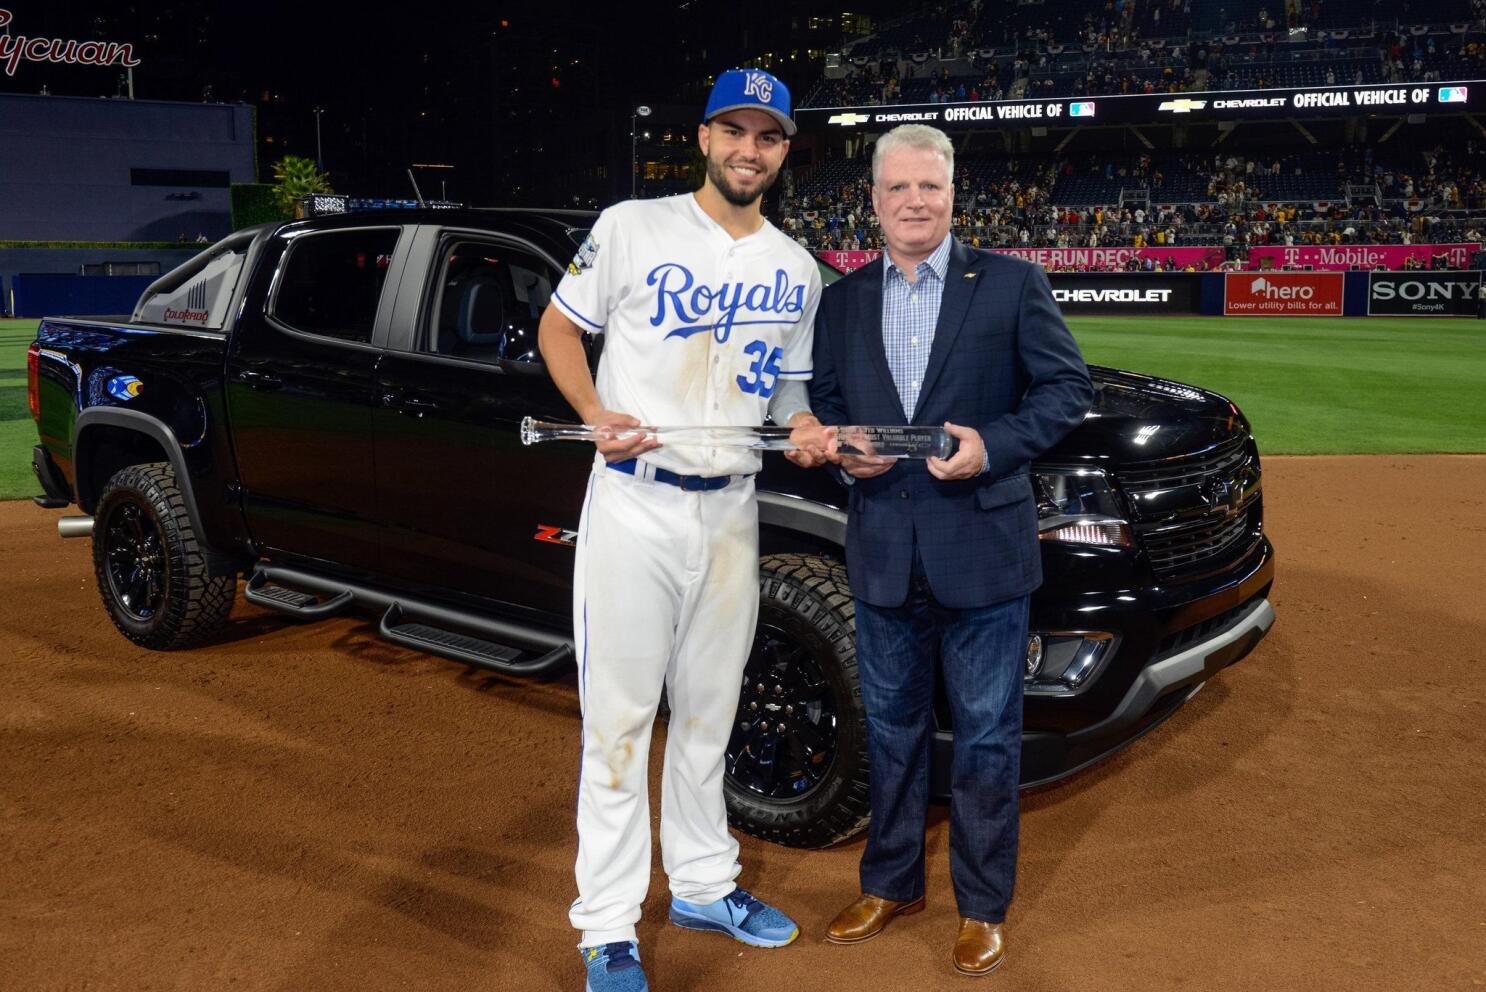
(699, 327)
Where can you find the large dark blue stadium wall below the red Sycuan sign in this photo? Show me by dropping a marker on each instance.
(120, 170)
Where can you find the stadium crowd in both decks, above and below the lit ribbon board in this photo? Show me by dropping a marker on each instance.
(952, 53)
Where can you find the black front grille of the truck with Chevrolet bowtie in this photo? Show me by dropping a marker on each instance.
(1210, 507)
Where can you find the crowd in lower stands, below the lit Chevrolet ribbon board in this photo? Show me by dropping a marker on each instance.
(1213, 201)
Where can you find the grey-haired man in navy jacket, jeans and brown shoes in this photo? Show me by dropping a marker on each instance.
(943, 553)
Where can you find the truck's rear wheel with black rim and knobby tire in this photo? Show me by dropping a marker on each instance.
(161, 586)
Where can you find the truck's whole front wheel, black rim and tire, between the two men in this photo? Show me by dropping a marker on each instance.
(797, 761)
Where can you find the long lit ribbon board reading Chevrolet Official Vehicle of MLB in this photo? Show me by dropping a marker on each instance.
(1236, 105)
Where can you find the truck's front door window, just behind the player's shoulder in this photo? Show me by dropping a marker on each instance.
(490, 304)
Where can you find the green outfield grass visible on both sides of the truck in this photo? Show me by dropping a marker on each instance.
(1310, 385)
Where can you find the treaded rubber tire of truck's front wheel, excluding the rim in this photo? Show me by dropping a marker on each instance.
(809, 599)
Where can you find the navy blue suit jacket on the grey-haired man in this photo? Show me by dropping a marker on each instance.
(1002, 363)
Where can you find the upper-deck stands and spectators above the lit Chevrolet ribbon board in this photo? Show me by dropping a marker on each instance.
(956, 53)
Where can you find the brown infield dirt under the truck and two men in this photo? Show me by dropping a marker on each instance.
(307, 807)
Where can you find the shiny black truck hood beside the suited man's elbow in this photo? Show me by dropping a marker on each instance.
(1142, 420)
